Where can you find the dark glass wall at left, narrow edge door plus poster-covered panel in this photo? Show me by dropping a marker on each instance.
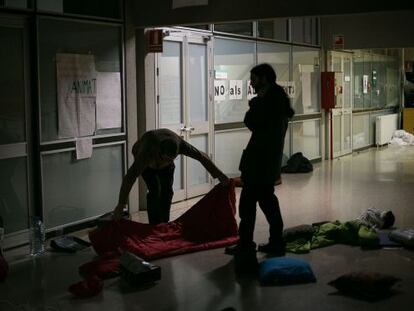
(62, 129)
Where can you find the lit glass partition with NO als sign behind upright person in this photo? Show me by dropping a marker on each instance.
(297, 70)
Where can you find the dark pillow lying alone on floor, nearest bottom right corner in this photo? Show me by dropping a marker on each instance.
(365, 285)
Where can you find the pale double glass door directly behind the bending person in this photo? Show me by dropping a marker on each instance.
(183, 83)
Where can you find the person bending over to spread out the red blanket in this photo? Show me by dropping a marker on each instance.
(154, 156)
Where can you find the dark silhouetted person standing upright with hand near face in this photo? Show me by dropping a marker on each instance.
(260, 164)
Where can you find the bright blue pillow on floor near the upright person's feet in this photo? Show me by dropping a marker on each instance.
(285, 271)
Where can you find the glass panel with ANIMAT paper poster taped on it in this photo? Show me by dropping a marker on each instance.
(81, 107)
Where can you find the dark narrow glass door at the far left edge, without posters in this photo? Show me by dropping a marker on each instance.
(14, 126)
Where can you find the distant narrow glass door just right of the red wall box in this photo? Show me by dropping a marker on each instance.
(341, 131)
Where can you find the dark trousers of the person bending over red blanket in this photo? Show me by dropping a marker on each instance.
(160, 193)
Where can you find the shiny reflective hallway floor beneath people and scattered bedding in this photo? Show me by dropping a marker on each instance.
(340, 189)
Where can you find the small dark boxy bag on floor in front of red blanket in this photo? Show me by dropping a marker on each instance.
(137, 271)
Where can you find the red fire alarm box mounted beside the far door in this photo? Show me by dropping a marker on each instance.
(331, 89)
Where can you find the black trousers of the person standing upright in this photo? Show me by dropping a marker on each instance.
(268, 202)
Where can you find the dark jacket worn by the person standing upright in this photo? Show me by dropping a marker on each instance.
(267, 119)
